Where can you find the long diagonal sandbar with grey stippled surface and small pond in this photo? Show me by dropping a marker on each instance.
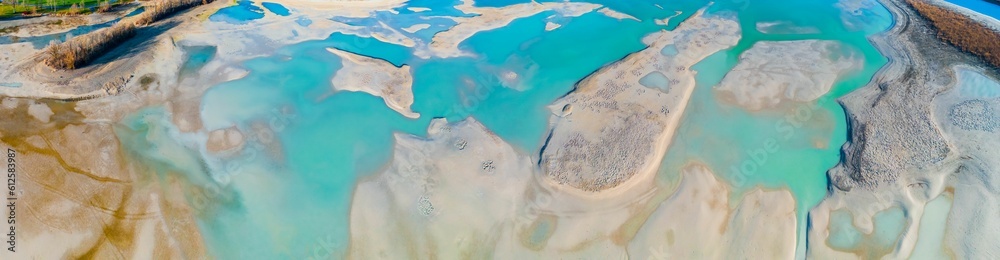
(611, 128)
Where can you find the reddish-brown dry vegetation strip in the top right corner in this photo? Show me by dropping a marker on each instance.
(961, 31)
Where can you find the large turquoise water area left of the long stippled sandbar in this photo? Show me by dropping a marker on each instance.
(321, 146)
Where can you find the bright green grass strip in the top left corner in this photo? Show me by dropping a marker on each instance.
(10, 8)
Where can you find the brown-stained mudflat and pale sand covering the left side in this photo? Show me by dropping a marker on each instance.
(86, 194)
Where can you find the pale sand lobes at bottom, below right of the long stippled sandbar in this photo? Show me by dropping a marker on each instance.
(697, 223)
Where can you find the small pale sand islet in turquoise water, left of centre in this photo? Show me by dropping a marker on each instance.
(377, 77)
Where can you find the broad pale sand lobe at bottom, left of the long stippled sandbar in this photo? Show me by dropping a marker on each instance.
(448, 195)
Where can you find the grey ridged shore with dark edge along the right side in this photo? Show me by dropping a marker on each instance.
(913, 138)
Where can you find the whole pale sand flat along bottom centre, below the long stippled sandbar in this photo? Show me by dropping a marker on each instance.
(463, 192)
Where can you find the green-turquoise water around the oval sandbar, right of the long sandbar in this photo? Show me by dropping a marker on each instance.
(788, 147)
